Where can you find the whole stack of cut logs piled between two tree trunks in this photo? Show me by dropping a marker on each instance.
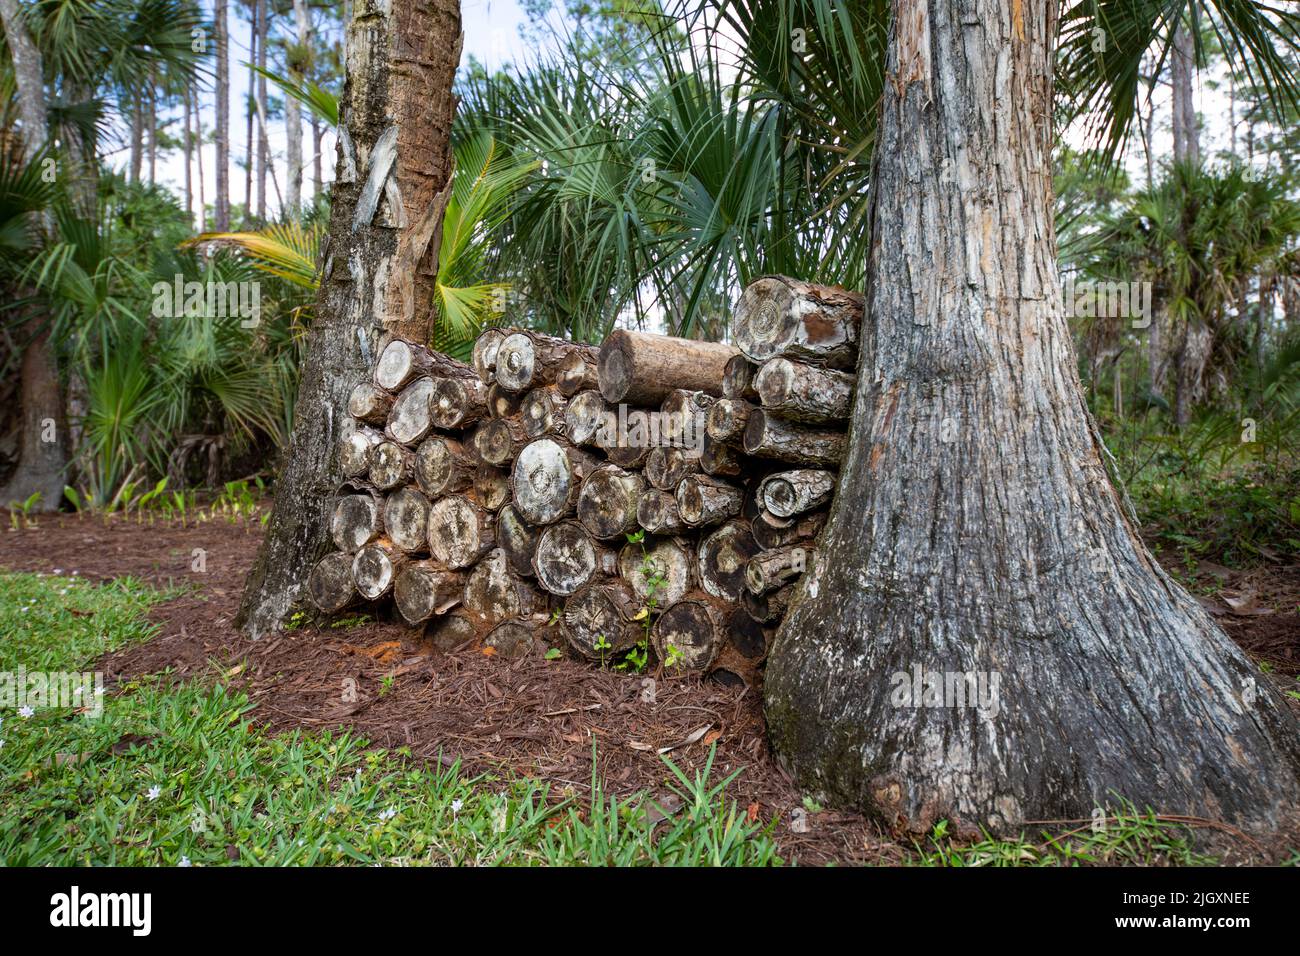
(652, 483)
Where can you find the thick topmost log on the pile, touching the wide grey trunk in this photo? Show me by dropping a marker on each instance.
(811, 323)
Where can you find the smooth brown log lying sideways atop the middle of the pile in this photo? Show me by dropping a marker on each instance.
(643, 369)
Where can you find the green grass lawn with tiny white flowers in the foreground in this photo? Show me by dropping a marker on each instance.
(177, 775)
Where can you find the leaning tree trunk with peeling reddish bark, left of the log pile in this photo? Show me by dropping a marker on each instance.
(380, 263)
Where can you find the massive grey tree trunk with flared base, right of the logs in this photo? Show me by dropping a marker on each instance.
(977, 533)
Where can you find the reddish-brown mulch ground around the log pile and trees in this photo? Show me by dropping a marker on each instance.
(530, 716)
